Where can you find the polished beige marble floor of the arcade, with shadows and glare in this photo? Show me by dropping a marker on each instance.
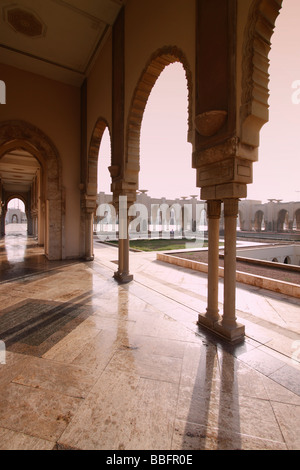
(90, 364)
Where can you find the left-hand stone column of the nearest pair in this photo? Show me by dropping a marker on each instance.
(212, 312)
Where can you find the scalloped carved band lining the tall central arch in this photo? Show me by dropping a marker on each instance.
(159, 60)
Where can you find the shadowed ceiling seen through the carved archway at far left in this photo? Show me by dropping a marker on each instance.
(17, 171)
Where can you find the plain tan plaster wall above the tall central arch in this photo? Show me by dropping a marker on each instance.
(151, 25)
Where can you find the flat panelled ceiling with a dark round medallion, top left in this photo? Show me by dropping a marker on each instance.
(58, 39)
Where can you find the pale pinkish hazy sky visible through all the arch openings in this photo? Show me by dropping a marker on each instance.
(166, 155)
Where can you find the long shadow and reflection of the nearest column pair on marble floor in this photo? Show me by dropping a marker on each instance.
(213, 418)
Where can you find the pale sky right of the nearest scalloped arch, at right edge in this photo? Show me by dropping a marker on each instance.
(277, 173)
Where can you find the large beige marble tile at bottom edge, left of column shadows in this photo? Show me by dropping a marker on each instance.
(112, 418)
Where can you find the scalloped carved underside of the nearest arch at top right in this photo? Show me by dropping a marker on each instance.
(254, 111)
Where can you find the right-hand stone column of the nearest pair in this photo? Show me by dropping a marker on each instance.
(228, 326)
